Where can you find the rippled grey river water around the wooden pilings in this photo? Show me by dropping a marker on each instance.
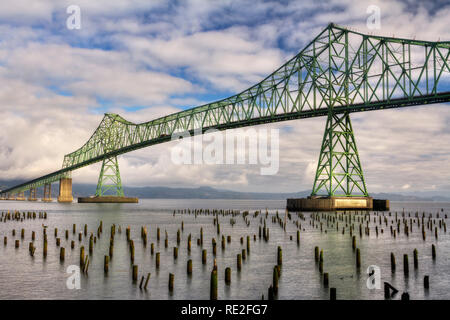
(26, 277)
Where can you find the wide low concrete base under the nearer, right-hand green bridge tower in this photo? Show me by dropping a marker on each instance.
(336, 203)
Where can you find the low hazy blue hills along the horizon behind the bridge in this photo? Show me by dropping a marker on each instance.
(83, 190)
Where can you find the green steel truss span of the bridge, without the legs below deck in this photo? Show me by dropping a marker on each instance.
(340, 69)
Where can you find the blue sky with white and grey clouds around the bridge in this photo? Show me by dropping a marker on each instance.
(146, 58)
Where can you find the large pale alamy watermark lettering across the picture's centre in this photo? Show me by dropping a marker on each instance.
(239, 146)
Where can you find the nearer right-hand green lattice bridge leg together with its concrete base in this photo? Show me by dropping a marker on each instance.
(339, 183)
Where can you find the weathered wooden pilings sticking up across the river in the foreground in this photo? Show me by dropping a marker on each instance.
(356, 225)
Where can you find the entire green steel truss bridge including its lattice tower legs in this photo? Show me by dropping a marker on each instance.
(339, 72)
